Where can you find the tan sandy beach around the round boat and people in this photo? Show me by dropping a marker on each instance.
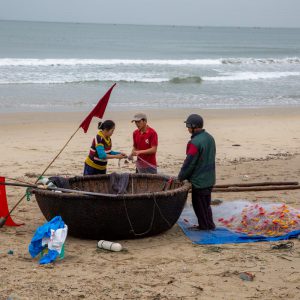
(253, 145)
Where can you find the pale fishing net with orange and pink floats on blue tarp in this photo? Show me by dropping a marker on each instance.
(267, 219)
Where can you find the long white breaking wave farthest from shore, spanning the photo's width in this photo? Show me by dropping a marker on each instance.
(53, 62)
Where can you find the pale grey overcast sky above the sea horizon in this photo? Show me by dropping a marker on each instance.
(261, 13)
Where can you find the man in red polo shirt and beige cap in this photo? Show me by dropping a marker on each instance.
(145, 143)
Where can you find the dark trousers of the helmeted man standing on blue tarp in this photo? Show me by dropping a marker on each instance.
(201, 199)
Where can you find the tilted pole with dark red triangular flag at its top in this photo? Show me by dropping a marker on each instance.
(98, 111)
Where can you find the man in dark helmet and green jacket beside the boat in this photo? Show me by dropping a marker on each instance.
(199, 168)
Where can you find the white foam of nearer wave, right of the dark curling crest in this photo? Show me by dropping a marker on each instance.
(250, 76)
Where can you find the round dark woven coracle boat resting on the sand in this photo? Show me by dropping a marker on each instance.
(148, 205)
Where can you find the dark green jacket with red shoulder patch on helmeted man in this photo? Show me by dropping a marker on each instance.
(199, 166)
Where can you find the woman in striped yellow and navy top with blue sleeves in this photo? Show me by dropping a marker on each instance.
(101, 150)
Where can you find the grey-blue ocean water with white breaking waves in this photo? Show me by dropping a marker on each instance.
(68, 66)
